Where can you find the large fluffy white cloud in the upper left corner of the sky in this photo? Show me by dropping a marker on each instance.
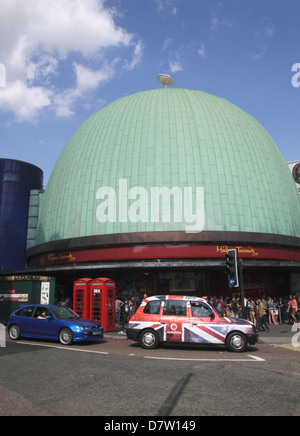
(39, 39)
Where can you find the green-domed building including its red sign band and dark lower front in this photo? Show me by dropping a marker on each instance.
(153, 190)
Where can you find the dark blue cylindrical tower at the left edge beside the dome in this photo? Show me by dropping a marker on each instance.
(17, 179)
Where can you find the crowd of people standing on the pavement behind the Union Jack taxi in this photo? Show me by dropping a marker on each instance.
(262, 311)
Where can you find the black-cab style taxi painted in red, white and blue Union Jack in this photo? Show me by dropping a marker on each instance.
(187, 319)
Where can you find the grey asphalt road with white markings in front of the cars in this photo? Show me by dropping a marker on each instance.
(115, 377)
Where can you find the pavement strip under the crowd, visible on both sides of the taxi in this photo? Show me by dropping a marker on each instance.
(278, 335)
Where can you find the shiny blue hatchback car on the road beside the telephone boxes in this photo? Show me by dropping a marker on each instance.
(52, 322)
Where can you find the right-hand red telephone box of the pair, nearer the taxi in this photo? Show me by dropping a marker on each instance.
(102, 302)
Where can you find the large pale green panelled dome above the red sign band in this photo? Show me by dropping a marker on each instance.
(171, 139)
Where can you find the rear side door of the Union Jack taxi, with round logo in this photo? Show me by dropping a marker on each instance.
(173, 317)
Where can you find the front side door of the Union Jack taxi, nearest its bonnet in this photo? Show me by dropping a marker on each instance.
(204, 326)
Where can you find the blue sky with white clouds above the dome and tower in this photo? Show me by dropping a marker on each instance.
(65, 59)
